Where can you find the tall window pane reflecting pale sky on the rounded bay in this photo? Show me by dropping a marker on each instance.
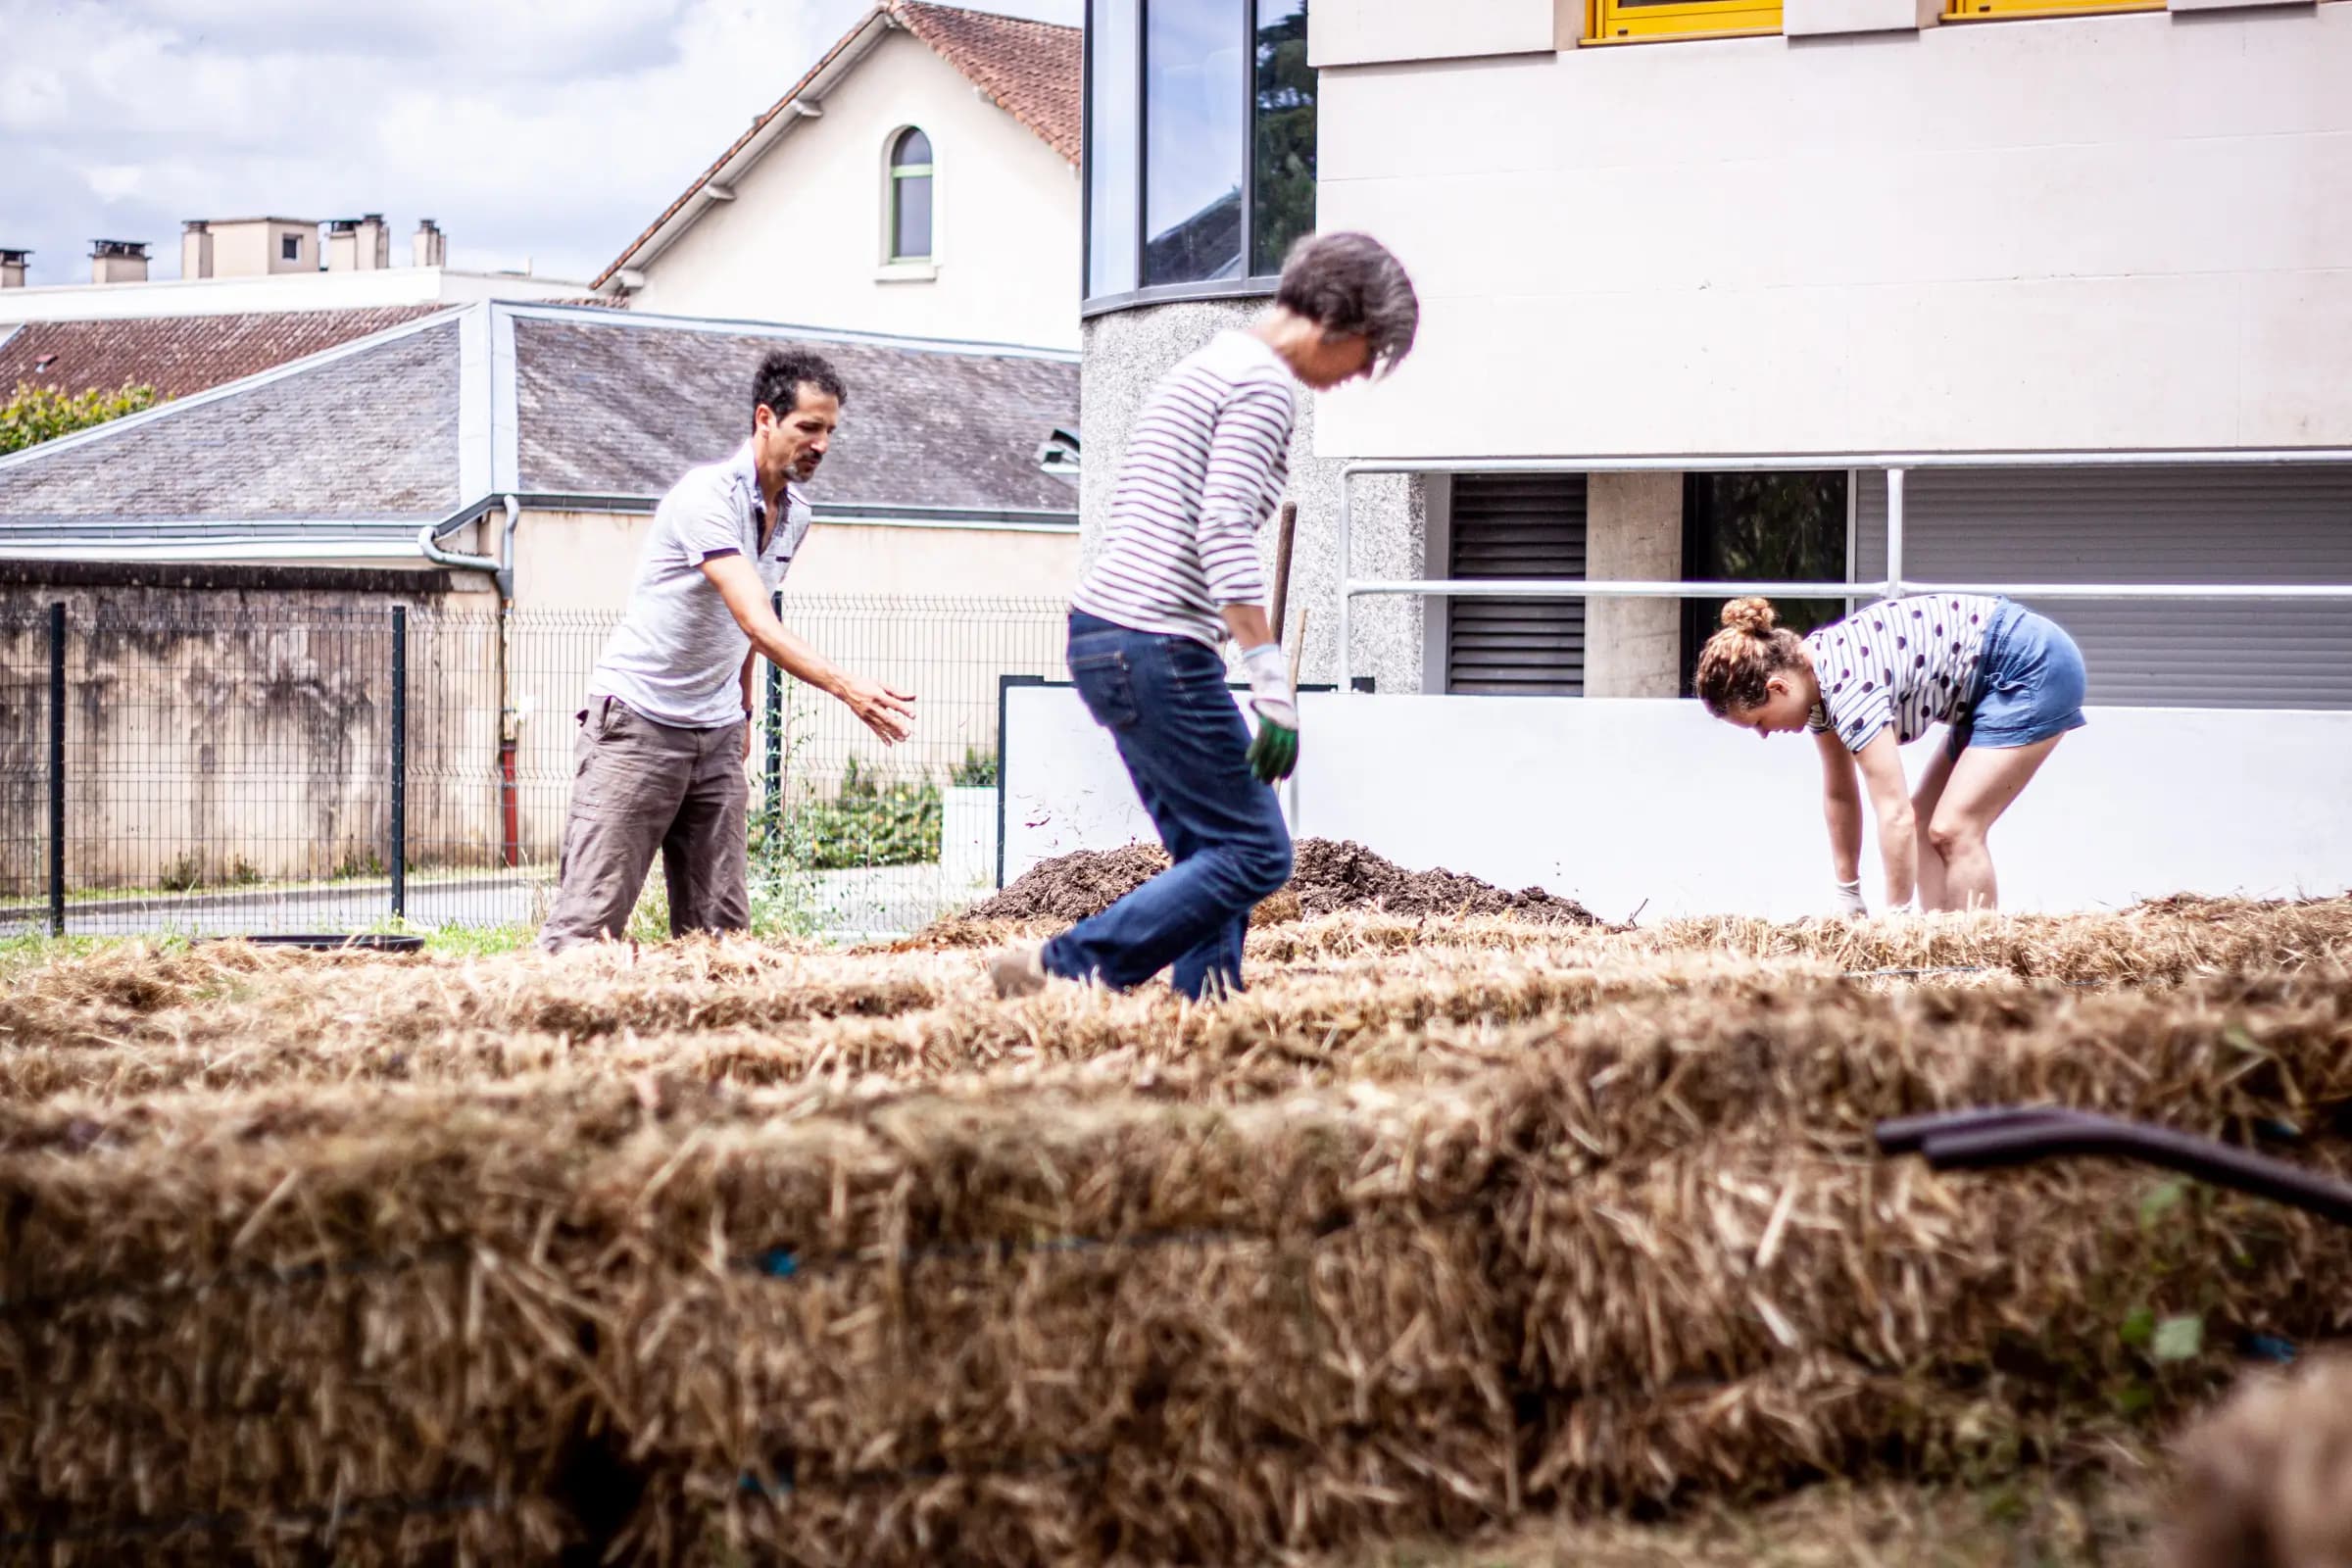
(1191, 140)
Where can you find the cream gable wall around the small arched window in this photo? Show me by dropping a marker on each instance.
(808, 239)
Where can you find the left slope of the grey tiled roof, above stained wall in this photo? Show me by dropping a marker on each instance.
(370, 434)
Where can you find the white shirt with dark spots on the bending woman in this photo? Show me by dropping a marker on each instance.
(1899, 662)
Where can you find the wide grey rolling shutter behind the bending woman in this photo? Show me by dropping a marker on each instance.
(2149, 525)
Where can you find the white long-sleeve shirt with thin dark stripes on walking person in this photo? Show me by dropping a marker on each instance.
(1203, 469)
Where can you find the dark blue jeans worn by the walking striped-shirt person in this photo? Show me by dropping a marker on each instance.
(1184, 742)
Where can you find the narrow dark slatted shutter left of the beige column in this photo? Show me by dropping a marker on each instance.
(1516, 528)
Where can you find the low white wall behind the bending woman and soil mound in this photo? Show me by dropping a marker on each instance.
(1655, 808)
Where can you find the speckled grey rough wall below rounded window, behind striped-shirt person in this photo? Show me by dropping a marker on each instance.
(1125, 356)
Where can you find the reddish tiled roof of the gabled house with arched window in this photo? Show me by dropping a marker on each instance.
(1031, 69)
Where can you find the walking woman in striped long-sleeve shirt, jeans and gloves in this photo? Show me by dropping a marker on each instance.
(1177, 575)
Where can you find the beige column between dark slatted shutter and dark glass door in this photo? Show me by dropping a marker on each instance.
(1633, 530)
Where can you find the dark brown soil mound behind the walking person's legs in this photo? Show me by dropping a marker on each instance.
(1330, 876)
